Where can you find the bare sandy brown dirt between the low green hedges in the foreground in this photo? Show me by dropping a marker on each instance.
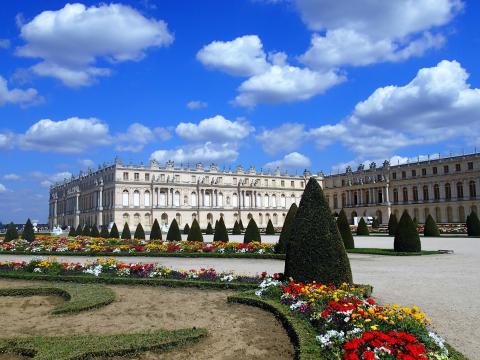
(235, 331)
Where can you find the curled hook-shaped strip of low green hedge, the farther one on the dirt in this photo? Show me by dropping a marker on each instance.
(79, 297)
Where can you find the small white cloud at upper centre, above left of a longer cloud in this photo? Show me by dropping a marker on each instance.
(243, 56)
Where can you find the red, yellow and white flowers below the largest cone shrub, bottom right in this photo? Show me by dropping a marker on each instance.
(350, 325)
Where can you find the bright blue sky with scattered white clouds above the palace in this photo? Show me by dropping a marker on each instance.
(318, 84)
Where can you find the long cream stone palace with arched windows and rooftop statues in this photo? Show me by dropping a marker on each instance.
(446, 188)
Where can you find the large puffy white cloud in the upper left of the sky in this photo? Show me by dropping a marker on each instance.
(70, 41)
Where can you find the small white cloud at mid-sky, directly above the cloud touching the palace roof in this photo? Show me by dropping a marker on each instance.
(215, 129)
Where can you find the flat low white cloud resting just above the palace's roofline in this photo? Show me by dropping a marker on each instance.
(208, 152)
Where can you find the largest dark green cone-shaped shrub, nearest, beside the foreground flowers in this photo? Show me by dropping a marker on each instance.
(315, 251)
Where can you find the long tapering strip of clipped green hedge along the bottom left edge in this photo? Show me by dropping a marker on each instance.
(87, 346)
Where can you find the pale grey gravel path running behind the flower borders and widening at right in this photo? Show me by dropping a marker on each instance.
(446, 287)
